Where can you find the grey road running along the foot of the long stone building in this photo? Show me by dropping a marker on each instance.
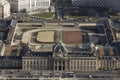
(99, 75)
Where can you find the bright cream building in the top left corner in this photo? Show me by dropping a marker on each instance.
(4, 9)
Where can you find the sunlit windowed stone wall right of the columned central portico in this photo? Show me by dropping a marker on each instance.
(83, 64)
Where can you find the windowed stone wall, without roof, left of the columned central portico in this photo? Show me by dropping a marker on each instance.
(36, 63)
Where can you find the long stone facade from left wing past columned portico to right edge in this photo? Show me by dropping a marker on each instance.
(75, 64)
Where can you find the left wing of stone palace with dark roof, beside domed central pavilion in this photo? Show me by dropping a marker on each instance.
(37, 61)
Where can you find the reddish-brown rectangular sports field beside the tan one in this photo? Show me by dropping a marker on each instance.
(72, 37)
